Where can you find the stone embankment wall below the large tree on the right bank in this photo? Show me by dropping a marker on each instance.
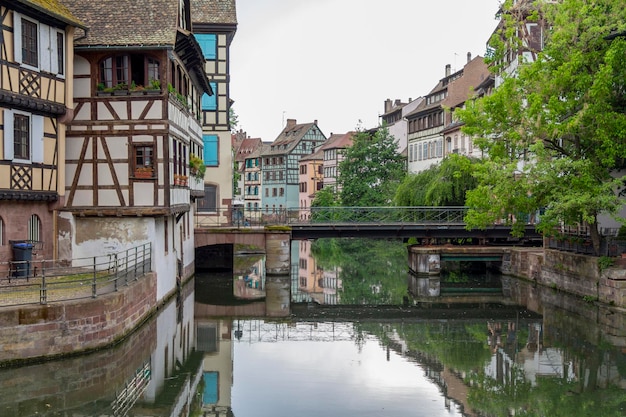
(575, 274)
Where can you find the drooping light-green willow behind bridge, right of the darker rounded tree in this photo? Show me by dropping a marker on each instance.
(443, 184)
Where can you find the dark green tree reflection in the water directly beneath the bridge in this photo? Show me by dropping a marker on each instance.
(372, 271)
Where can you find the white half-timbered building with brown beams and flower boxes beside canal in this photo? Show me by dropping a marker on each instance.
(138, 83)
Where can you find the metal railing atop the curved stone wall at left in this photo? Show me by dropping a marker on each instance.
(45, 281)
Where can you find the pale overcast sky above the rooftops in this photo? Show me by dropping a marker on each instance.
(336, 61)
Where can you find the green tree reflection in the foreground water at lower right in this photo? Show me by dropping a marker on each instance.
(460, 347)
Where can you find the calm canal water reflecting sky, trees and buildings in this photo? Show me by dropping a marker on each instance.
(349, 340)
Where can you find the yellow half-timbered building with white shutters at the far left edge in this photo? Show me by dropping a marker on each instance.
(35, 99)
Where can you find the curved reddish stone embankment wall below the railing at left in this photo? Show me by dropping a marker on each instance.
(33, 332)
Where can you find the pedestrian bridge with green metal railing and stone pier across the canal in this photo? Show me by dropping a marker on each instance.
(274, 232)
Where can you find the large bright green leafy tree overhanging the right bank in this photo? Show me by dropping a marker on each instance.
(556, 133)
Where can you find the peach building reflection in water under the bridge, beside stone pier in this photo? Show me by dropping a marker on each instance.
(320, 284)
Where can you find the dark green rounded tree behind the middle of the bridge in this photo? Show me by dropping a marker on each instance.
(371, 170)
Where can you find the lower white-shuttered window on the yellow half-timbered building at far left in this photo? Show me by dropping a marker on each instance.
(23, 134)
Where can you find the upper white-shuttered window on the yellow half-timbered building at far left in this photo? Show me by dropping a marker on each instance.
(39, 46)
